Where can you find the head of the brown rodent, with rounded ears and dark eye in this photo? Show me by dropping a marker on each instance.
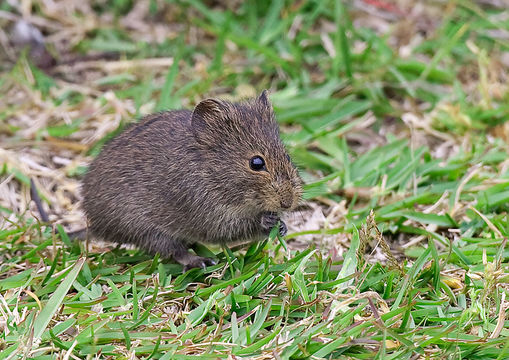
(241, 149)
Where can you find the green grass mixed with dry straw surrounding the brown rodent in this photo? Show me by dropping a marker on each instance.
(397, 118)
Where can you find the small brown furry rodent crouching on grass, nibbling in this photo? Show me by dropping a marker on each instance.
(217, 174)
